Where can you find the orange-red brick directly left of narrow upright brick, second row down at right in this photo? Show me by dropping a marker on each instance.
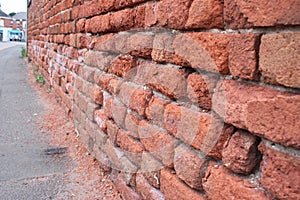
(204, 51)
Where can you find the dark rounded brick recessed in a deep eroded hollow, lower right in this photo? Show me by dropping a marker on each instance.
(241, 153)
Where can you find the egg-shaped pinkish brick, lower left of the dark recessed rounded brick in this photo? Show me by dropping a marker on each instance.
(189, 166)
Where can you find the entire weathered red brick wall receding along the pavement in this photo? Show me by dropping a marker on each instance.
(179, 99)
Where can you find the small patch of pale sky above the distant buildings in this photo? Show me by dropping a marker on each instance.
(9, 6)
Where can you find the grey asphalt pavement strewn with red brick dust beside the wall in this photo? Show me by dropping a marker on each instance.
(26, 172)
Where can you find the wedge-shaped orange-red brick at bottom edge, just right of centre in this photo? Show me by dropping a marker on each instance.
(173, 188)
